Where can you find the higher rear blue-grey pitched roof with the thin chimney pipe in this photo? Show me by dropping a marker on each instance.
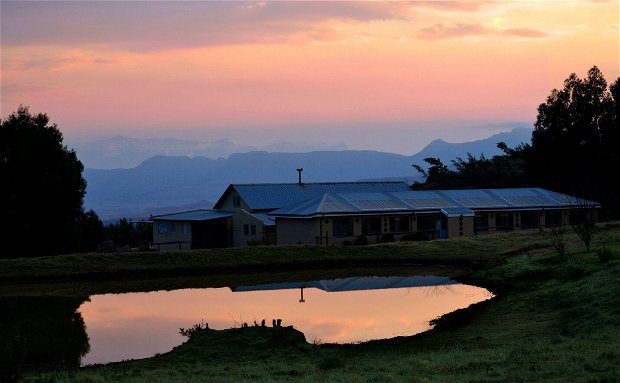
(275, 196)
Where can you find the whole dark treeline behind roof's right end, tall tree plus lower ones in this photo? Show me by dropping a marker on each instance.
(575, 149)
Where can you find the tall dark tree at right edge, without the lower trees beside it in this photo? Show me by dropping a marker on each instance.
(576, 141)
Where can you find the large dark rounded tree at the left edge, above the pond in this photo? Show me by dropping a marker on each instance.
(42, 187)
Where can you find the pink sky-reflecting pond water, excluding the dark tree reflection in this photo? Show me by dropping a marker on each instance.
(139, 325)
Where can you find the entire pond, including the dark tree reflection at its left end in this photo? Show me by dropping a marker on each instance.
(103, 328)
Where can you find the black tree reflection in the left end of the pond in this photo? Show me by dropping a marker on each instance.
(41, 332)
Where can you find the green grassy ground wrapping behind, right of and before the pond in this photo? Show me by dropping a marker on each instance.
(555, 319)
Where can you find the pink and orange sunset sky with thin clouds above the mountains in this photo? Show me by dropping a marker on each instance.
(376, 75)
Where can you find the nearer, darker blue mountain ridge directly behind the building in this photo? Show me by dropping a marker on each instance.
(180, 180)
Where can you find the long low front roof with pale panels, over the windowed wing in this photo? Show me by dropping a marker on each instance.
(449, 202)
